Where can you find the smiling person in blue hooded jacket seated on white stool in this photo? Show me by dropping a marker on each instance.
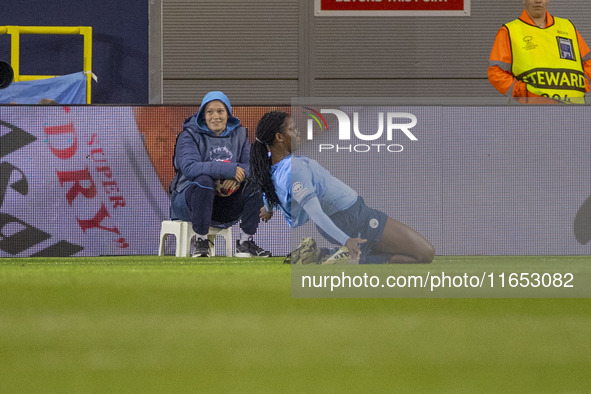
(211, 162)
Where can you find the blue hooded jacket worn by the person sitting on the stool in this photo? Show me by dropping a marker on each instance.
(199, 151)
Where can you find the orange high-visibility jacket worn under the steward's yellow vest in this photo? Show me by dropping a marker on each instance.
(500, 70)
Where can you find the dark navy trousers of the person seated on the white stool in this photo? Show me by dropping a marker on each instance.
(207, 209)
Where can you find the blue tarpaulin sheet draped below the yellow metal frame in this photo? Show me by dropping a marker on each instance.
(65, 89)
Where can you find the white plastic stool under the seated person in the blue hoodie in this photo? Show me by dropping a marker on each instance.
(183, 231)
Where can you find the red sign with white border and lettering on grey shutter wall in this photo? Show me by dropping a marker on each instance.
(392, 7)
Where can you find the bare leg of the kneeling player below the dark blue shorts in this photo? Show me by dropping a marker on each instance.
(404, 244)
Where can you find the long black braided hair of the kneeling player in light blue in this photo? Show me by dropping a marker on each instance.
(260, 161)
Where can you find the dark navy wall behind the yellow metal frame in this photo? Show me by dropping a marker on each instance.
(120, 44)
